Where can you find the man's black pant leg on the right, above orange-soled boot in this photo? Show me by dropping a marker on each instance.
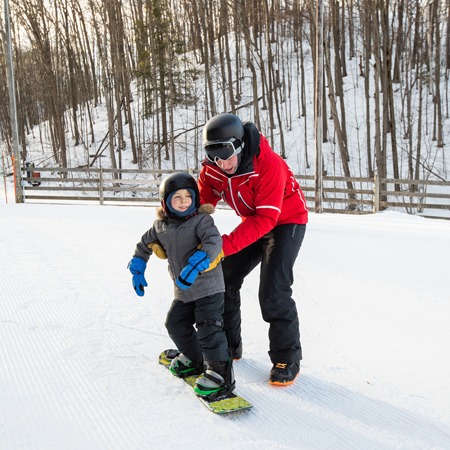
(281, 247)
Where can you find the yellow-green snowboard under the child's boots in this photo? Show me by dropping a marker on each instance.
(221, 405)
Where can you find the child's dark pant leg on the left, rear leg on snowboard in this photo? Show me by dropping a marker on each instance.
(180, 326)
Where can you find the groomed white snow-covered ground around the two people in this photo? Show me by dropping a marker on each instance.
(79, 350)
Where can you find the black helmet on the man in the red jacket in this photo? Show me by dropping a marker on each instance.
(222, 128)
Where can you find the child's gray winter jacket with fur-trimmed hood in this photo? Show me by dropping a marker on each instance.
(180, 239)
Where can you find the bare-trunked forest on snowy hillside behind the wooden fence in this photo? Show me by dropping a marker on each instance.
(151, 62)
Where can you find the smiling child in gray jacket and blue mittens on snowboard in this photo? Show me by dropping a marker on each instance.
(182, 228)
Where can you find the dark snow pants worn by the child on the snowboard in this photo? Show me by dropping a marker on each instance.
(208, 340)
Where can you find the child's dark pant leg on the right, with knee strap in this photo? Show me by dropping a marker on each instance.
(212, 339)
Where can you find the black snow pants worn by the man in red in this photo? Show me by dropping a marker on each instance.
(277, 252)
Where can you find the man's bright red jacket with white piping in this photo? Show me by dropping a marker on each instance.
(265, 196)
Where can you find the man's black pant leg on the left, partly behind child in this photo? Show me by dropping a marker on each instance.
(235, 268)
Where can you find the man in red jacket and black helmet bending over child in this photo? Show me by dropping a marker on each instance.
(242, 170)
